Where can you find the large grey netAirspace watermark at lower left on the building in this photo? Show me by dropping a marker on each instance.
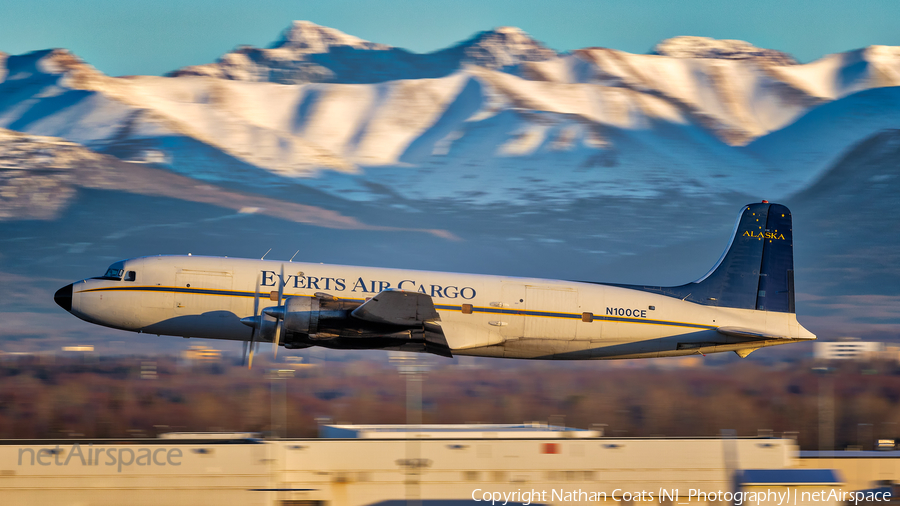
(90, 456)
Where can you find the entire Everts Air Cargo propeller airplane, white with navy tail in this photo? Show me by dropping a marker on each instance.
(745, 302)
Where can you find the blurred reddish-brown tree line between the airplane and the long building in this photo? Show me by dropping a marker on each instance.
(119, 397)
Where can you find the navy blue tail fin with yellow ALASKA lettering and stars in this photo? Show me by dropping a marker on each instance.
(755, 272)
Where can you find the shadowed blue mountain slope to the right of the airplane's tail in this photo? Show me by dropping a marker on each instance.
(849, 219)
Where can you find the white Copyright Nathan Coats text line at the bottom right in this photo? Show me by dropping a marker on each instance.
(782, 497)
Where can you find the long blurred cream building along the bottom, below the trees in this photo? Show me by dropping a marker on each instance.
(429, 465)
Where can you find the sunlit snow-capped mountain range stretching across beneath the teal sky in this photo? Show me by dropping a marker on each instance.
(490, 119)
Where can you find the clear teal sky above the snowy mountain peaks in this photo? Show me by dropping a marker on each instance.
(125, 37)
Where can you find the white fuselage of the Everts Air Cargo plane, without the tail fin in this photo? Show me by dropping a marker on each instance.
(510, 317)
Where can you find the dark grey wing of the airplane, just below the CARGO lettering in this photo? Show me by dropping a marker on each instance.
(397, 307)
